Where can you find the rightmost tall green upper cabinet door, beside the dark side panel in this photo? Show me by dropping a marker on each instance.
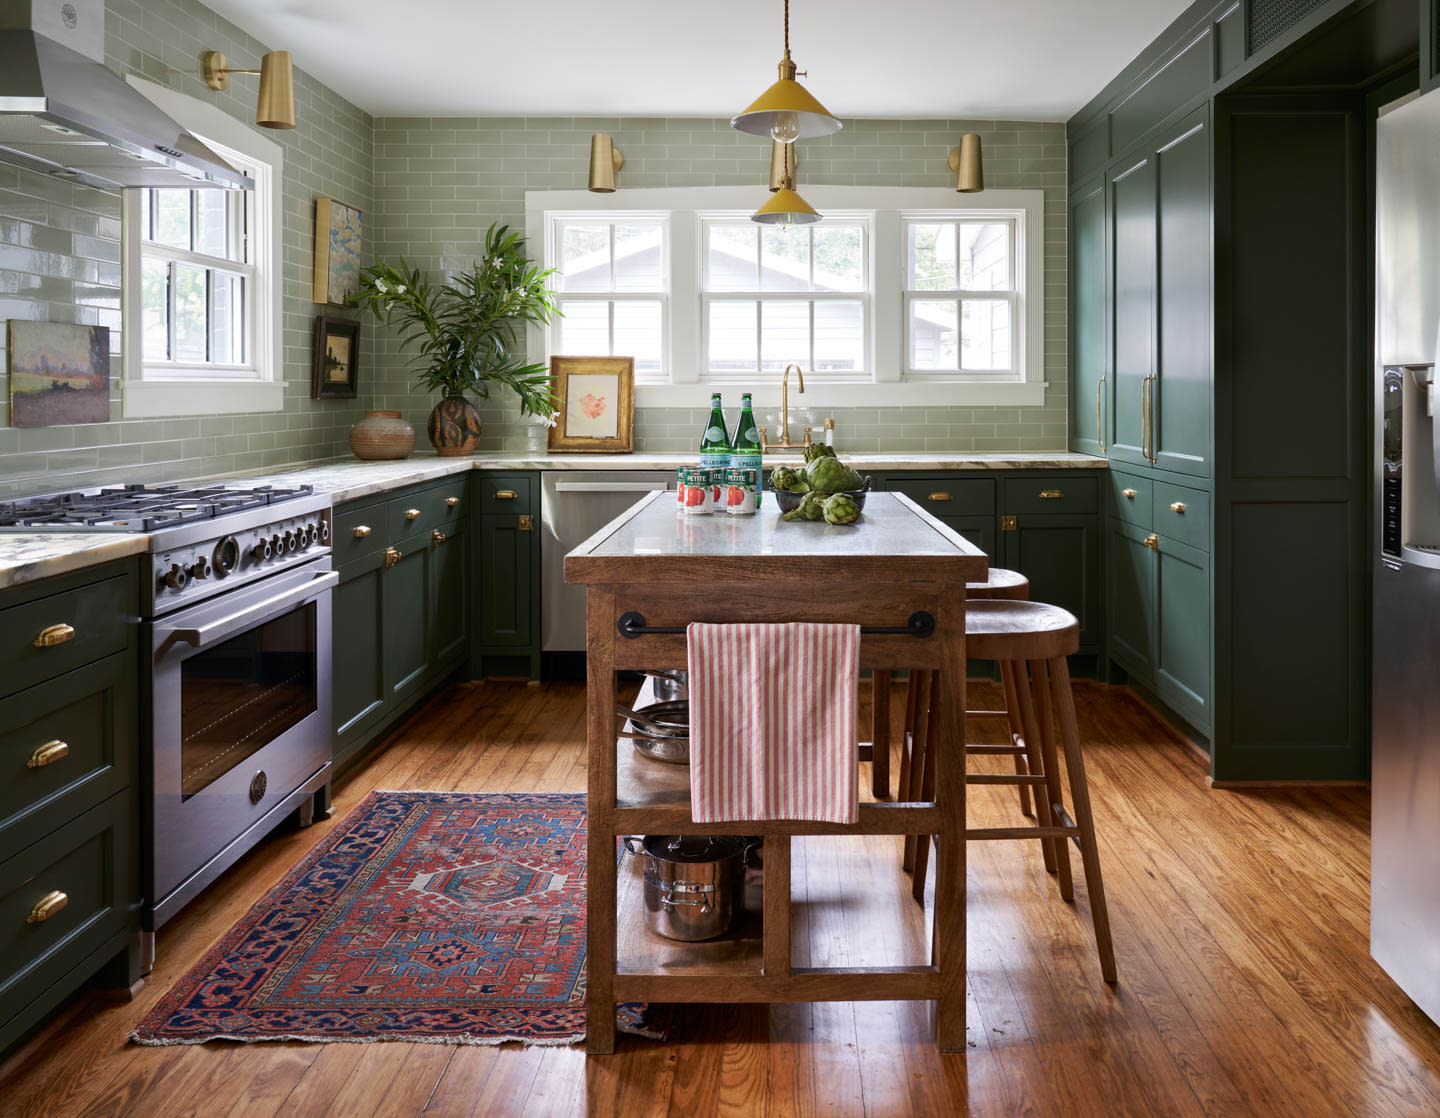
(1182, 394)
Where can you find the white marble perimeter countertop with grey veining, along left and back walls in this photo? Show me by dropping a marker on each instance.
(30, 557)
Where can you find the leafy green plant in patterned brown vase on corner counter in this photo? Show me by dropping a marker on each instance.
(467, 332)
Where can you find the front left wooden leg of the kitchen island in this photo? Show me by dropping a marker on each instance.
(601, 858)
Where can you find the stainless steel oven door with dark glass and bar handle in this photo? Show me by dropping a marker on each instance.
(240, 715)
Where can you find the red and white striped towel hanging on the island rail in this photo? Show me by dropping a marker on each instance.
(773, 723)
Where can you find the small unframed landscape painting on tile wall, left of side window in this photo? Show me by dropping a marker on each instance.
(60, 374)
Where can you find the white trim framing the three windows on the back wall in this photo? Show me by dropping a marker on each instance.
(888, 336)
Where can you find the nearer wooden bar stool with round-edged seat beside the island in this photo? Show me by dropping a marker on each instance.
(1035, 640)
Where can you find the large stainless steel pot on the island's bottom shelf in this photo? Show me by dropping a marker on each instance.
(693, 884)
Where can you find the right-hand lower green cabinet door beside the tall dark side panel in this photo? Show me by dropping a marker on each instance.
(1183, 630)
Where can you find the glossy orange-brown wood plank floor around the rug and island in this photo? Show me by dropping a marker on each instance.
(1241, 926)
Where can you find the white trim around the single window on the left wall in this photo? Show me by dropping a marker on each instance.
(176, 390)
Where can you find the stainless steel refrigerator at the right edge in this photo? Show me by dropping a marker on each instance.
(1405, 914)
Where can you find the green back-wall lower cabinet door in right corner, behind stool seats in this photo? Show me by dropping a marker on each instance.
(1061, 555)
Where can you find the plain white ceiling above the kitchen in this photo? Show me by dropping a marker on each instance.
(1010, 60)
